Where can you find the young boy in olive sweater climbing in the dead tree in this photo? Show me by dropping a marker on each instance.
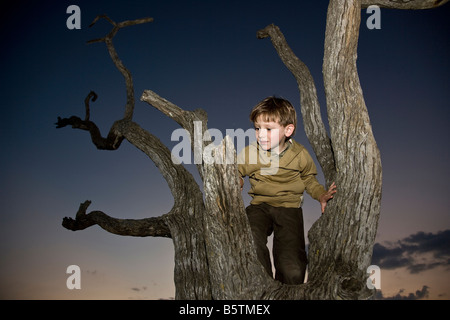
(279, 171)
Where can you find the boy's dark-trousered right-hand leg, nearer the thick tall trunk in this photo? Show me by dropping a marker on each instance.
(289, 246)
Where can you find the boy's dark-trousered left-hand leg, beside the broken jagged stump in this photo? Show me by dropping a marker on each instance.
(261, 225)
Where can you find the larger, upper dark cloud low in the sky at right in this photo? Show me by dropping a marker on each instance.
(418, 252)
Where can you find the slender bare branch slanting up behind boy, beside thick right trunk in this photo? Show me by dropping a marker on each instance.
(309, 103)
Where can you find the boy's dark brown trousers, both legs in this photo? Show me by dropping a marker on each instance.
(289, 253)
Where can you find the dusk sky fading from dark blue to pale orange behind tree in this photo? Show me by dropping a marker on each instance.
(202, 54)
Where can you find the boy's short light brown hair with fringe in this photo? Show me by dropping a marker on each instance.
(277, 110)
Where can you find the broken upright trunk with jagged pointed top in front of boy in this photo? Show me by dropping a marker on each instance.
(228, 236)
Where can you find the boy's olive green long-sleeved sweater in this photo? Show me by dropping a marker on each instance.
(280, 180)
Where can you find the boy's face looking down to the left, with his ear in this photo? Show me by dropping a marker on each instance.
(271, 135)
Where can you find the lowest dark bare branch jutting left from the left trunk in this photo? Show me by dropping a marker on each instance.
(149, 227)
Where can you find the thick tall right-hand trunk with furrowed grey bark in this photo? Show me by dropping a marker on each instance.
(341, 241)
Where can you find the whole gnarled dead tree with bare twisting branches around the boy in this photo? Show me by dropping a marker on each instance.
(214, 254)
